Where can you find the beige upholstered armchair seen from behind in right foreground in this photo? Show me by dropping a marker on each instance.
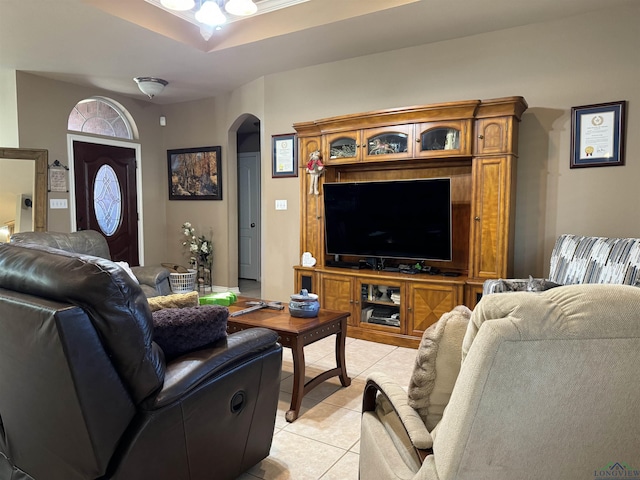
(547, 389)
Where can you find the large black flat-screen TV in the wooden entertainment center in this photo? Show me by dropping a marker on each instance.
(390, 219)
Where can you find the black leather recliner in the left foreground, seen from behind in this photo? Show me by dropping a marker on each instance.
(85, 393)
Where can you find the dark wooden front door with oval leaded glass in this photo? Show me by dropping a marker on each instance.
(106, 196)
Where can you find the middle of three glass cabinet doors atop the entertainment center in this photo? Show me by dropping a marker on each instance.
(388, 143)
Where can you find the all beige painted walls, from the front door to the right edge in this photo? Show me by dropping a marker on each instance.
(587, 59)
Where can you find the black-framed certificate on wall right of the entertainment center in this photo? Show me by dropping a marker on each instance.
(597, 135)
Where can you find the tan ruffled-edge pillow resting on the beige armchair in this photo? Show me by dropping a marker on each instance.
(437, 365)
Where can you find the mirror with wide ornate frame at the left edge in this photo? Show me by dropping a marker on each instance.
(23, 191)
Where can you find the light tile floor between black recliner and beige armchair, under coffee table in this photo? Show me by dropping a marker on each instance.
(323, 443)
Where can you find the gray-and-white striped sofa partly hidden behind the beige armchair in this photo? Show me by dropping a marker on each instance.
(581, 259)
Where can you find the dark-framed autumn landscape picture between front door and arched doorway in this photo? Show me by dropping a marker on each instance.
(195, 174)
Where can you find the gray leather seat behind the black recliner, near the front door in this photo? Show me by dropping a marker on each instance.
(154, 280)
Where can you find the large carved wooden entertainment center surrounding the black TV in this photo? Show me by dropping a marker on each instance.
(475, 144)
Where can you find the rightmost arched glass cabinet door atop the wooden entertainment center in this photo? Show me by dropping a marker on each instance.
(439, 139)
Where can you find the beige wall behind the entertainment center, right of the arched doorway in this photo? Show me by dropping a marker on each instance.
(592, 58)
